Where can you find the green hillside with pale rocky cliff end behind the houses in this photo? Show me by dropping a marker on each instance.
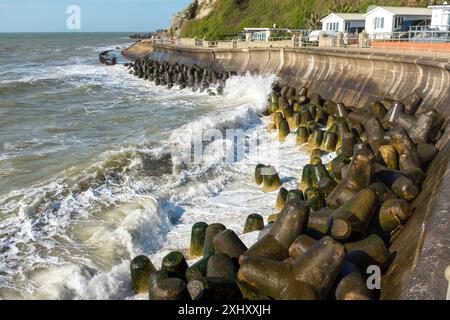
(221, 19)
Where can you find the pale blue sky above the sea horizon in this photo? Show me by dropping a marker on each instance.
(96, 15)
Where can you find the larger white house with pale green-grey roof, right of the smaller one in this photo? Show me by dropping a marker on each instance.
(383, 19)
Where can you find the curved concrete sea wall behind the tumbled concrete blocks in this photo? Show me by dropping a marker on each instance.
(422, 249)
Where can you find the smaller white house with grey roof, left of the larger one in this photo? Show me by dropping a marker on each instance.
(341, 22)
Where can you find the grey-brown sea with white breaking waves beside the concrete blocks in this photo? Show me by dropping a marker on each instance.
(91, 172)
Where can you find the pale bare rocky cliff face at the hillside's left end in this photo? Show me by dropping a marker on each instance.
(198, 9)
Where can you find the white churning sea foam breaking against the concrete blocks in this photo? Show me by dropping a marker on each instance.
(76, 242)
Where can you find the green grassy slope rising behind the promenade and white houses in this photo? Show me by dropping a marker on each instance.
(229, 17)
